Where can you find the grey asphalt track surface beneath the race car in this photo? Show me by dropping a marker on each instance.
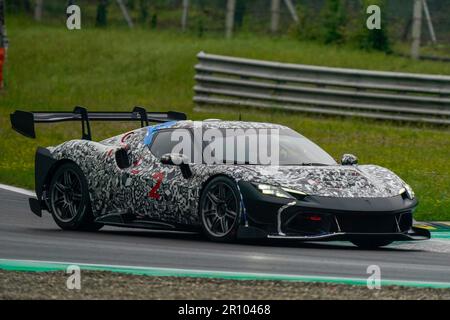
(26, 236)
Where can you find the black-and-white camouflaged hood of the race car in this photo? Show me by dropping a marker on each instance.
(363, 181)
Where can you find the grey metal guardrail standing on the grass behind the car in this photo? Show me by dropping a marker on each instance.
(223, 80)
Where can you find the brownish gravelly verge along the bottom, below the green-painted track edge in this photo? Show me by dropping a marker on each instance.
(109, 285)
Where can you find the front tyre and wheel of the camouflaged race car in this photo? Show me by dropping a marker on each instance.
(220, 209)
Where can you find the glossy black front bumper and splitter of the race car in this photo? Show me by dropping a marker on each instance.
(313, 218)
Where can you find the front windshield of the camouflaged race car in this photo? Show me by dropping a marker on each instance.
(264, 147)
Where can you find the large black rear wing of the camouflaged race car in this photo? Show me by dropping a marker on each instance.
(23, 121)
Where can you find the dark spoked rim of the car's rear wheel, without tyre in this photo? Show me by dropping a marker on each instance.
(66, 195)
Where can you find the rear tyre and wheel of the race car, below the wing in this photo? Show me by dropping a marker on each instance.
(69, 200)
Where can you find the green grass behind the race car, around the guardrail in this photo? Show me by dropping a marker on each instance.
(51, 68)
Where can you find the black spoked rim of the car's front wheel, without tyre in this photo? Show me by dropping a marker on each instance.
(220, 209)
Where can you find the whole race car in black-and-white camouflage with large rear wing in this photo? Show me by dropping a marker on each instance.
(143, 179)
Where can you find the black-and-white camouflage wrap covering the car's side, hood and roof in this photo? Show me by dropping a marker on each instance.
(115, 190)
